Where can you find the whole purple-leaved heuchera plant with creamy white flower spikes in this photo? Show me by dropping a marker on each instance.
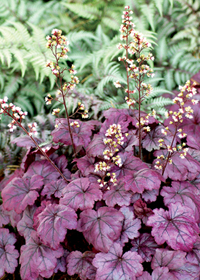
(124, 202)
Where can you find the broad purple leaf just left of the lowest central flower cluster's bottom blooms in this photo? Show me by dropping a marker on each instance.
(81, 194)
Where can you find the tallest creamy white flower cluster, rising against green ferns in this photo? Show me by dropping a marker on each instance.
(134, 44)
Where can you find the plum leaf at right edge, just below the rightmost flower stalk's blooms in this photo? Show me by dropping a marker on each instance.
(181, 169)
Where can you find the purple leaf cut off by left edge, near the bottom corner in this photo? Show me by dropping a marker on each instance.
(8, 253)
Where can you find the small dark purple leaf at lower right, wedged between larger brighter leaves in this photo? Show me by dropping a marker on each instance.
(145, 246)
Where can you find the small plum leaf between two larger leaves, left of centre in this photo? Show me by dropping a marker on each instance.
(54, 188)
